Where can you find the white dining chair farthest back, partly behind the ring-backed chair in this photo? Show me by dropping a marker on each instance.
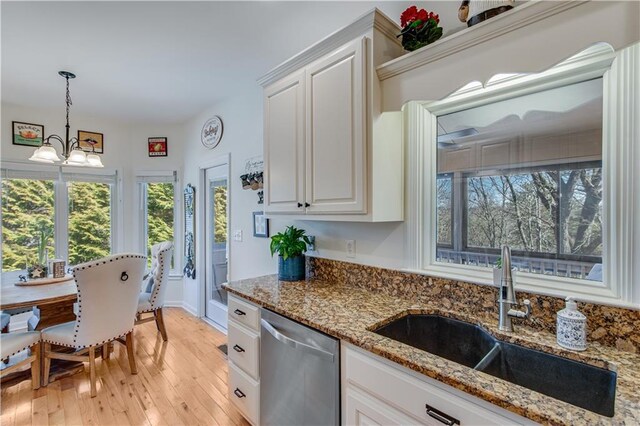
(151, 298)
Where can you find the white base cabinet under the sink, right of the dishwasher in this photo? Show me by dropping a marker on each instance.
(377, 391)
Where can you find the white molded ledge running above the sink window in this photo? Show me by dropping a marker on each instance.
(519, 17)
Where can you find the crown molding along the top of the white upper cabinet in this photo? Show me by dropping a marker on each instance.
(372, 19)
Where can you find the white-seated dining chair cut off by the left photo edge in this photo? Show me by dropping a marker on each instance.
(13, 343)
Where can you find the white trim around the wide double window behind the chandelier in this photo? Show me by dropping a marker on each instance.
(61, 196)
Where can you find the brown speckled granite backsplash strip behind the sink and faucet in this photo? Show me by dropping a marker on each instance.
(610, 326)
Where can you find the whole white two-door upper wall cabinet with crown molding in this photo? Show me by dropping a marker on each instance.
(329, 153)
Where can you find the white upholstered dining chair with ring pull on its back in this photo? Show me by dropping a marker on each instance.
(108, 291)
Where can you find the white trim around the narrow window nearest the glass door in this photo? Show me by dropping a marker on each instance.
(150, 176)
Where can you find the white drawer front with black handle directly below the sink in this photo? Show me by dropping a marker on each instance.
(411, 395)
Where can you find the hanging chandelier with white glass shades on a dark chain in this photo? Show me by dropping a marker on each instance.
(71, 151)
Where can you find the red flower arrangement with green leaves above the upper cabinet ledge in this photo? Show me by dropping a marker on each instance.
(419, 28)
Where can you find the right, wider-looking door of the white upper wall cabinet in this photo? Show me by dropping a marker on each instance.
(336, 133)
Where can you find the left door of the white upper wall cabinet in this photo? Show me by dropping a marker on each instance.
(284, 145)
